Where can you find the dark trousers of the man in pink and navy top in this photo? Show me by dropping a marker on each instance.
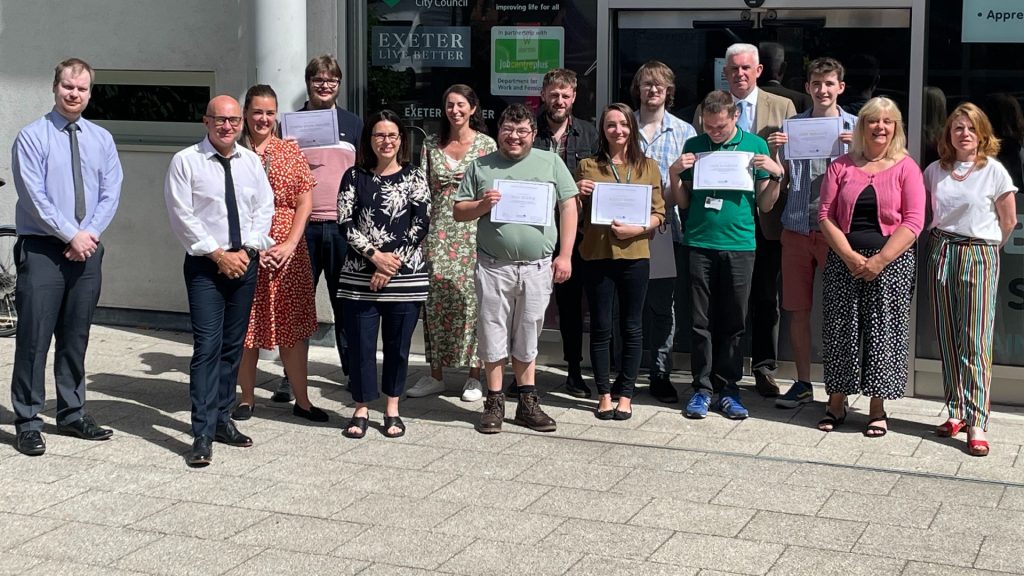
(327, 254)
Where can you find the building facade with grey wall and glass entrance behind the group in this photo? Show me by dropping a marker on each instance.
(158, 64)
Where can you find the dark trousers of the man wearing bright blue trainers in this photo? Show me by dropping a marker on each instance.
(720, 285)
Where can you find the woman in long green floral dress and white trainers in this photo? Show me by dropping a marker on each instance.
(451, 312)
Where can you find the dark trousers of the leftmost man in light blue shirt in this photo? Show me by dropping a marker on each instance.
(55, 299)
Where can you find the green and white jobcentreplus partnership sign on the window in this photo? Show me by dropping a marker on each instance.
(522, 56)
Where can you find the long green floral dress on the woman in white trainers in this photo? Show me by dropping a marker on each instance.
(451, 246)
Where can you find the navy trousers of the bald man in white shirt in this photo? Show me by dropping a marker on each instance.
(220, 309)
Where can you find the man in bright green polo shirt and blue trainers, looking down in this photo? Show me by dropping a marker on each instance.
(720, 232)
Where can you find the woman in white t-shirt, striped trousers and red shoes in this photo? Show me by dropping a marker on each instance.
(973, 214)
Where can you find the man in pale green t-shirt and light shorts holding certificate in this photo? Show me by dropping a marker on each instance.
(516, 273)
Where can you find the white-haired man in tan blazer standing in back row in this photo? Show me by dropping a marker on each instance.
(762, 114)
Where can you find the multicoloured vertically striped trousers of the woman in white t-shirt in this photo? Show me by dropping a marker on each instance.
(964, 276)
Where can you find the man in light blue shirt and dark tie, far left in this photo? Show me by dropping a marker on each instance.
(68, 178)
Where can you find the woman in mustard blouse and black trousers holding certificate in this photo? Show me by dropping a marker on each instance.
(617, 256)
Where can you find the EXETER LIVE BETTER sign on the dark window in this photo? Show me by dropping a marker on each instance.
(442, 47)
